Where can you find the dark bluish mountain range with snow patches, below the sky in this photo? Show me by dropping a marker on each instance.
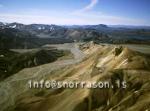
(17, 35)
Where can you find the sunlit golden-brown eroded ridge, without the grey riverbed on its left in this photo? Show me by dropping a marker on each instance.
(101, 63)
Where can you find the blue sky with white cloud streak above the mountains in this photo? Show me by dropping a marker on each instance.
(76, 12)
